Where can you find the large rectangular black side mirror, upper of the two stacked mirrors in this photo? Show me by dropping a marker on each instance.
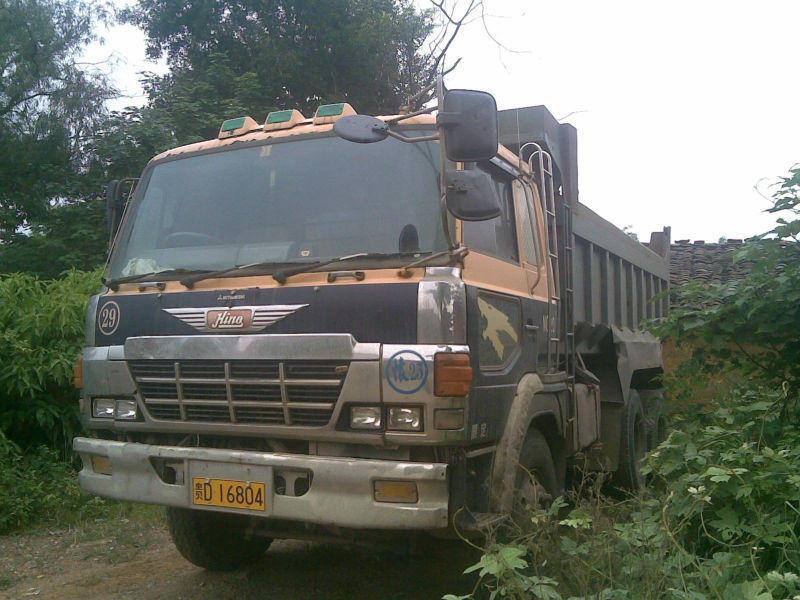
(469, 122)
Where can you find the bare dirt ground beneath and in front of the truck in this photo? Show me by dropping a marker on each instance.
(134, 559)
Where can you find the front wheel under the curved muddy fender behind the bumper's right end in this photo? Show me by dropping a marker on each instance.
(536, 484)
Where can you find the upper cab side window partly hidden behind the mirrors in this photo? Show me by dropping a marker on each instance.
(496, 237)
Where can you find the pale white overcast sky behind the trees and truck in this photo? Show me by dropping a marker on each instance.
(687, 111)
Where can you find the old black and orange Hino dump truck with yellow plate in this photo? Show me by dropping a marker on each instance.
(349, 327)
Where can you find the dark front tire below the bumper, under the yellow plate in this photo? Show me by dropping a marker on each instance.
(214, 541)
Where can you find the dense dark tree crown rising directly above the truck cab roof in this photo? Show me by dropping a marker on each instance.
(290, 54)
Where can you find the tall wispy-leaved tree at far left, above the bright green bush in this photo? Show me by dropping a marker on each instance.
(49, 106)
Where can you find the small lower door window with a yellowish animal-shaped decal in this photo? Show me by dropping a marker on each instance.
(500, 329)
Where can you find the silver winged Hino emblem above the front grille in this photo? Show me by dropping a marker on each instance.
(235, 319)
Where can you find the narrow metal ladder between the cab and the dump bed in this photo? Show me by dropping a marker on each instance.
(560, 316)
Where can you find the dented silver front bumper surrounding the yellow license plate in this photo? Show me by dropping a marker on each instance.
(340, 492)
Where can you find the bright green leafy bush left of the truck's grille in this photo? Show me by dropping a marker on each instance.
(41, 334)
